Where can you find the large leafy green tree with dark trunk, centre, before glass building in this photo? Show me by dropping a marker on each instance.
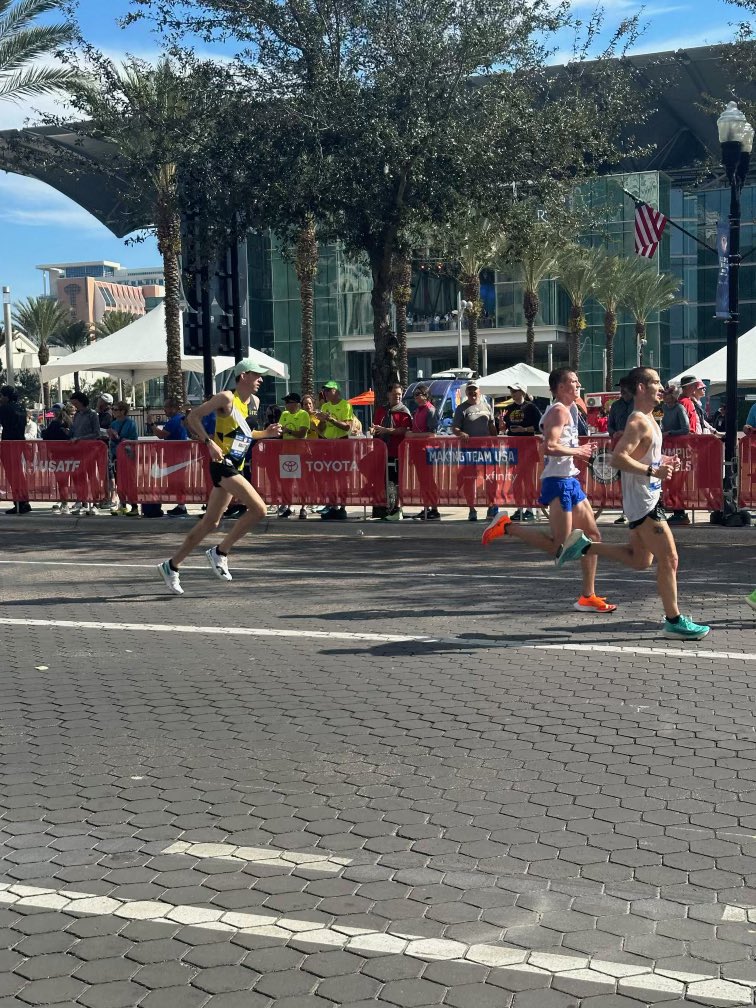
(409, 116)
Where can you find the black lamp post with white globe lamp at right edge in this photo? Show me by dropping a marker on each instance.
(736, 141)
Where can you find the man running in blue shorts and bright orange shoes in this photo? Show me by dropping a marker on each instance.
(561, 491)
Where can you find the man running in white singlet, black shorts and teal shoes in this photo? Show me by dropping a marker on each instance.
(639, 457)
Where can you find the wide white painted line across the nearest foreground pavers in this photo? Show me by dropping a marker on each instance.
(683, 979)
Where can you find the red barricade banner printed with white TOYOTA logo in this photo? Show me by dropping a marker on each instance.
(344, 471)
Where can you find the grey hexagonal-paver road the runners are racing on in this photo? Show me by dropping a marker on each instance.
(434, 784)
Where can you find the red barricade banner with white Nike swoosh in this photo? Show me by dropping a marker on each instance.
(158, 471)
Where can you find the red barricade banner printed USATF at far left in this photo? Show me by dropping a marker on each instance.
(54, 471)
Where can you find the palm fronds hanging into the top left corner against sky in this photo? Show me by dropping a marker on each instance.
(23, 44)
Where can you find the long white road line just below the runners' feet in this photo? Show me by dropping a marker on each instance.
(691, 655)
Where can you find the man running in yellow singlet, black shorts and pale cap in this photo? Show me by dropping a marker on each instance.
(228, 449)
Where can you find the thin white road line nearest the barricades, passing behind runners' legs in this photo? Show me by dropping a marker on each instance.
(358, 574)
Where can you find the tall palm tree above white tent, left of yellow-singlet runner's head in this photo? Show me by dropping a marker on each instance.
(145, 112)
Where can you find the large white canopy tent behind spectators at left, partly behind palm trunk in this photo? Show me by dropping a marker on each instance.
(135, 354)
